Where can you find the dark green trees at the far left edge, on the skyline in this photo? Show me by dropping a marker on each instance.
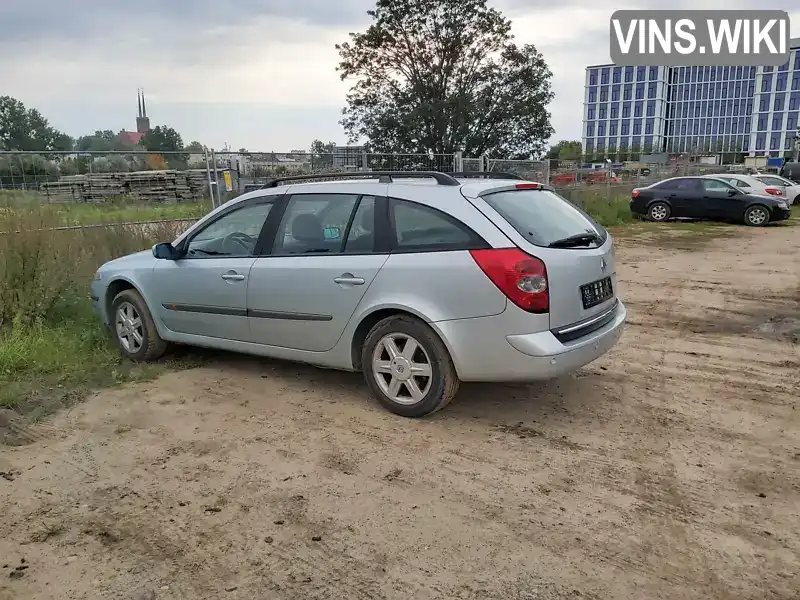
(26, 129)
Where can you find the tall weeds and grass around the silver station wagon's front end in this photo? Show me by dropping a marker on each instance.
(53, 348)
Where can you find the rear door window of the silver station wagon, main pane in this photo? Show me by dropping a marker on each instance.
(314, 224)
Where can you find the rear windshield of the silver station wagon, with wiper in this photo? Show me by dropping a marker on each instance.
(542, 216)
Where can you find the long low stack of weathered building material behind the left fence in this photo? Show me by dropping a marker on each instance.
(141, 186)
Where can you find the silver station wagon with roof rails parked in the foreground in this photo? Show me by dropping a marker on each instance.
(419, 280)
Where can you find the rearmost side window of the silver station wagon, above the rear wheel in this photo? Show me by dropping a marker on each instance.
(422, 228)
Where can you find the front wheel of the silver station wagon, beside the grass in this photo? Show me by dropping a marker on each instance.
(151, 346)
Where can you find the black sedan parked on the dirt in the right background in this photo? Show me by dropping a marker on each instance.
(706, 198)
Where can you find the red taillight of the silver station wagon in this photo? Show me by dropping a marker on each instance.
(520, 276)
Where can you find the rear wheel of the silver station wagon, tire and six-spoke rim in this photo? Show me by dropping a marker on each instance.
(435, 391)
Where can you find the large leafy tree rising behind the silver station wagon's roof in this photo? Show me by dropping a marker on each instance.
(445, 75)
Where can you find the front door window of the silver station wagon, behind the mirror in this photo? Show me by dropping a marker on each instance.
(233, 234)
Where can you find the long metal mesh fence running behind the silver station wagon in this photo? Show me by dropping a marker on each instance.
(174, 177)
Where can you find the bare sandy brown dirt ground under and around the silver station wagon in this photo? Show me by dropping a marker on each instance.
(668, 469)
